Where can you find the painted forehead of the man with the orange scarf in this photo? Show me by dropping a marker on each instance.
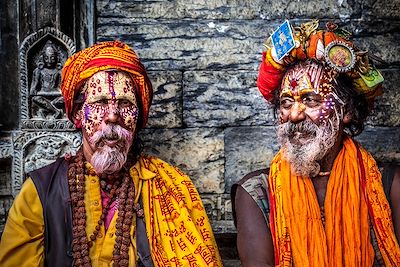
(308, 77)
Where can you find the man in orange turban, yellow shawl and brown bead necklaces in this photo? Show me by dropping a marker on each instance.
(108, 205)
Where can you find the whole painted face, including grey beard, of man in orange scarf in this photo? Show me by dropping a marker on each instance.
(310, 121)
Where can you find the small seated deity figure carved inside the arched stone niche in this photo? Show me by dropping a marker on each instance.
(46, 100)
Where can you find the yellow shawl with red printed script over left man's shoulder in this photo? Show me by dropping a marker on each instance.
(177, 225)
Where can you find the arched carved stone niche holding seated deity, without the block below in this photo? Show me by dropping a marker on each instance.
(42, 56)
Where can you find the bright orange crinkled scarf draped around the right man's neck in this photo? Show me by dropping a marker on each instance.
(354, 198)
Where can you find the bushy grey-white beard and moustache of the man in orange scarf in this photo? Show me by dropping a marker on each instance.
(304, 144)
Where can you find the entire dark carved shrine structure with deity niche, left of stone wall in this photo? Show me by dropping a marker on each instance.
(37, 37)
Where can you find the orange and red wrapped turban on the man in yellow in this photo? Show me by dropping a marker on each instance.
(102, 56)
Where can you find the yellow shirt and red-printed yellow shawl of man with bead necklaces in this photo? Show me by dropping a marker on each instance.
(176, 223)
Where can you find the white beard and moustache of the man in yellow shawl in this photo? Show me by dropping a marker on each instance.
(108, 159)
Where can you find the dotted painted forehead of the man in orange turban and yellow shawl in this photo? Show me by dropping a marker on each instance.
(110, 85)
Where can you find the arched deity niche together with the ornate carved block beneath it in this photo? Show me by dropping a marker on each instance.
(45, 133)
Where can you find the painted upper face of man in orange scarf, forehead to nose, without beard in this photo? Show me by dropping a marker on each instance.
(307, 91)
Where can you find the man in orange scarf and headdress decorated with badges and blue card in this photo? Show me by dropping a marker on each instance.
(321, 202)
